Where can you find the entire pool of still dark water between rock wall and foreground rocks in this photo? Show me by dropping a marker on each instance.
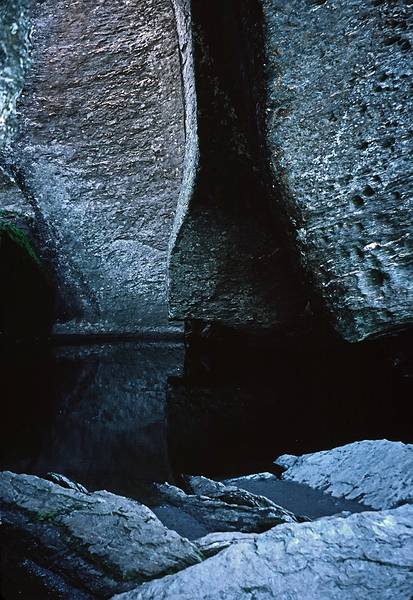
(114, 415)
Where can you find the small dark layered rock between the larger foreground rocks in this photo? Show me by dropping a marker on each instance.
(225, 510)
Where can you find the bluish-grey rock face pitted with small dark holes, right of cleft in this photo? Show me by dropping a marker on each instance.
(338, 115)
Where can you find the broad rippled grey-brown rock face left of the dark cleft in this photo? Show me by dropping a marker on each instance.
(99, 153)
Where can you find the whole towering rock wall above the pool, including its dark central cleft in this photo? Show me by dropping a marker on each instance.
(283, 128)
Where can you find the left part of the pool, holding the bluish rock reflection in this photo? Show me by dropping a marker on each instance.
(95, 413)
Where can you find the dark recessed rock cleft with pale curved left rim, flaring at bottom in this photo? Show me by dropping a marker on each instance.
(228, 259)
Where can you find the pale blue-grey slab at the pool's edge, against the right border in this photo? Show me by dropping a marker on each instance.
(377, 473)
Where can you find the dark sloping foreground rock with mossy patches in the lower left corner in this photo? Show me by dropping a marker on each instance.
(100, 542)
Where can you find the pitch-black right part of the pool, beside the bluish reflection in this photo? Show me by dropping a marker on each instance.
(240, 405)
